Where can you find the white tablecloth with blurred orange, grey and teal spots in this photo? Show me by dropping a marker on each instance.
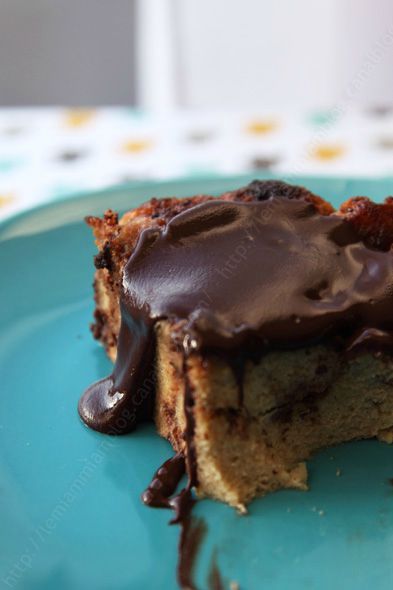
(49, 153)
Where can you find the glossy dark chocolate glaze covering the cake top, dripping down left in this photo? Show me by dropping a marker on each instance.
(227, 273)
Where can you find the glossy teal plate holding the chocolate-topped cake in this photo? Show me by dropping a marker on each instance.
(70, 511)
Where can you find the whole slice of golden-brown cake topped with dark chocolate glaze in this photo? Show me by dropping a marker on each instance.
(256, 328)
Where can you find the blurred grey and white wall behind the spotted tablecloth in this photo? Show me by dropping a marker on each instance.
(204, 53)
